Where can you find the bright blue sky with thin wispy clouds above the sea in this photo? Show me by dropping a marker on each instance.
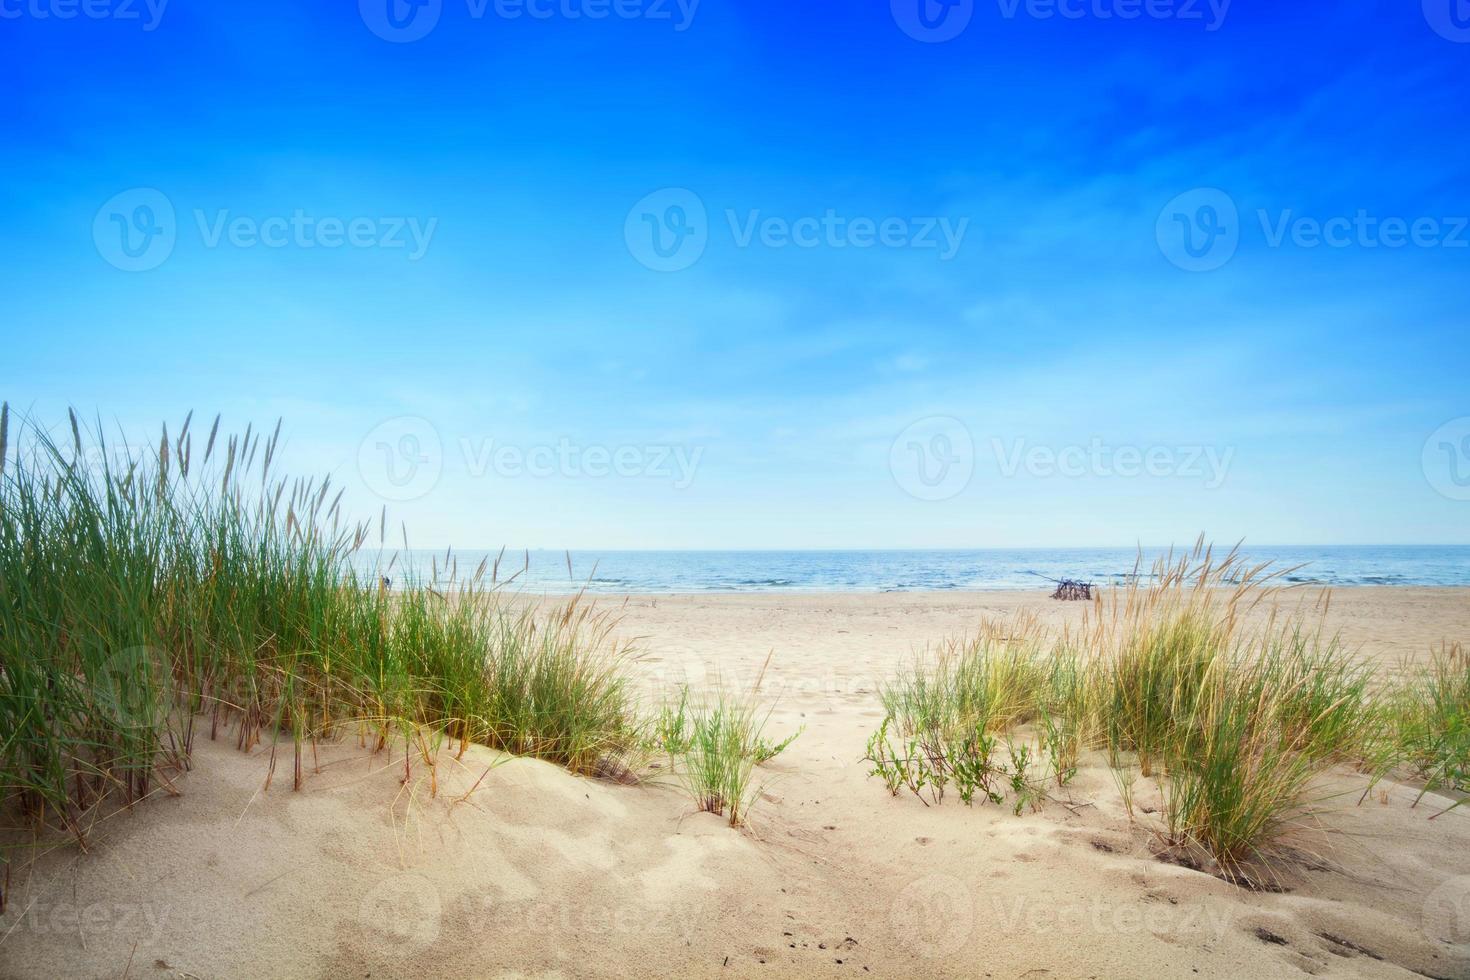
(471, 320)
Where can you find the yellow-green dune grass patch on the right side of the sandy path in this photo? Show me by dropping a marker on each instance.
(1236, 716)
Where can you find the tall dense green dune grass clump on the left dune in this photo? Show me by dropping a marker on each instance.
(149, 597)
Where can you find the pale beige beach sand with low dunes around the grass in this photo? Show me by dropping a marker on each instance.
(518, 869)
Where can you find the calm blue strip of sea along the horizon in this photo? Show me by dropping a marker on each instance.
(699, 572)
